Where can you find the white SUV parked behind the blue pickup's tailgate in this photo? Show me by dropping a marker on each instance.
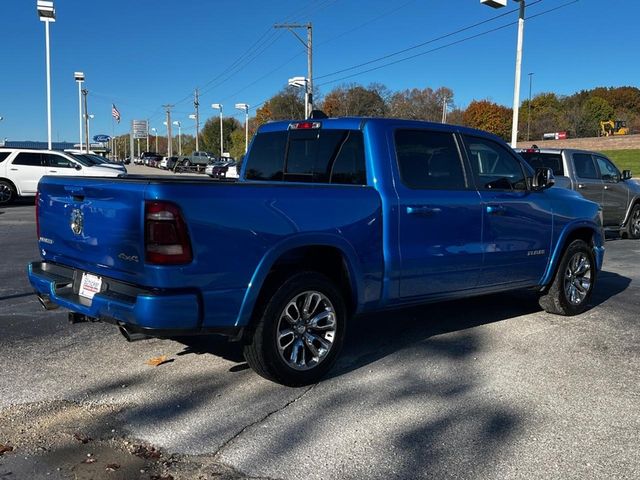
(21, 170)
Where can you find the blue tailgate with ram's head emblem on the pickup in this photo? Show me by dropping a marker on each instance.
(92, 220)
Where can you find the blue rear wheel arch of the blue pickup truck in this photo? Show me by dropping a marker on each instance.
(327, 254)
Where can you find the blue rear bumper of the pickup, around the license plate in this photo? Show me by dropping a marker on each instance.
(156, 313)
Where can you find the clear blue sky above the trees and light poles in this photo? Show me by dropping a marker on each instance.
(140, 54)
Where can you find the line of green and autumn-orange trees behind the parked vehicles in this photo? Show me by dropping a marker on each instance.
(578, 114)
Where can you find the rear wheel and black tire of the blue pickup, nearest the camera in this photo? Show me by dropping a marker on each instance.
(300, 331)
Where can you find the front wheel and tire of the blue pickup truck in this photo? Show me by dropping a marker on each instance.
(573, 282)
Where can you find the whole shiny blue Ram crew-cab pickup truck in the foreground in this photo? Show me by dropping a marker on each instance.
(331, 218)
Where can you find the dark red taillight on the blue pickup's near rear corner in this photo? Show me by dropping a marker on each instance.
(166, 238)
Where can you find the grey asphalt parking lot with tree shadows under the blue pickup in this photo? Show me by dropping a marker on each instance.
(489, 387)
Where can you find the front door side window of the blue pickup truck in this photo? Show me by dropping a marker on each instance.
(493, 166)
